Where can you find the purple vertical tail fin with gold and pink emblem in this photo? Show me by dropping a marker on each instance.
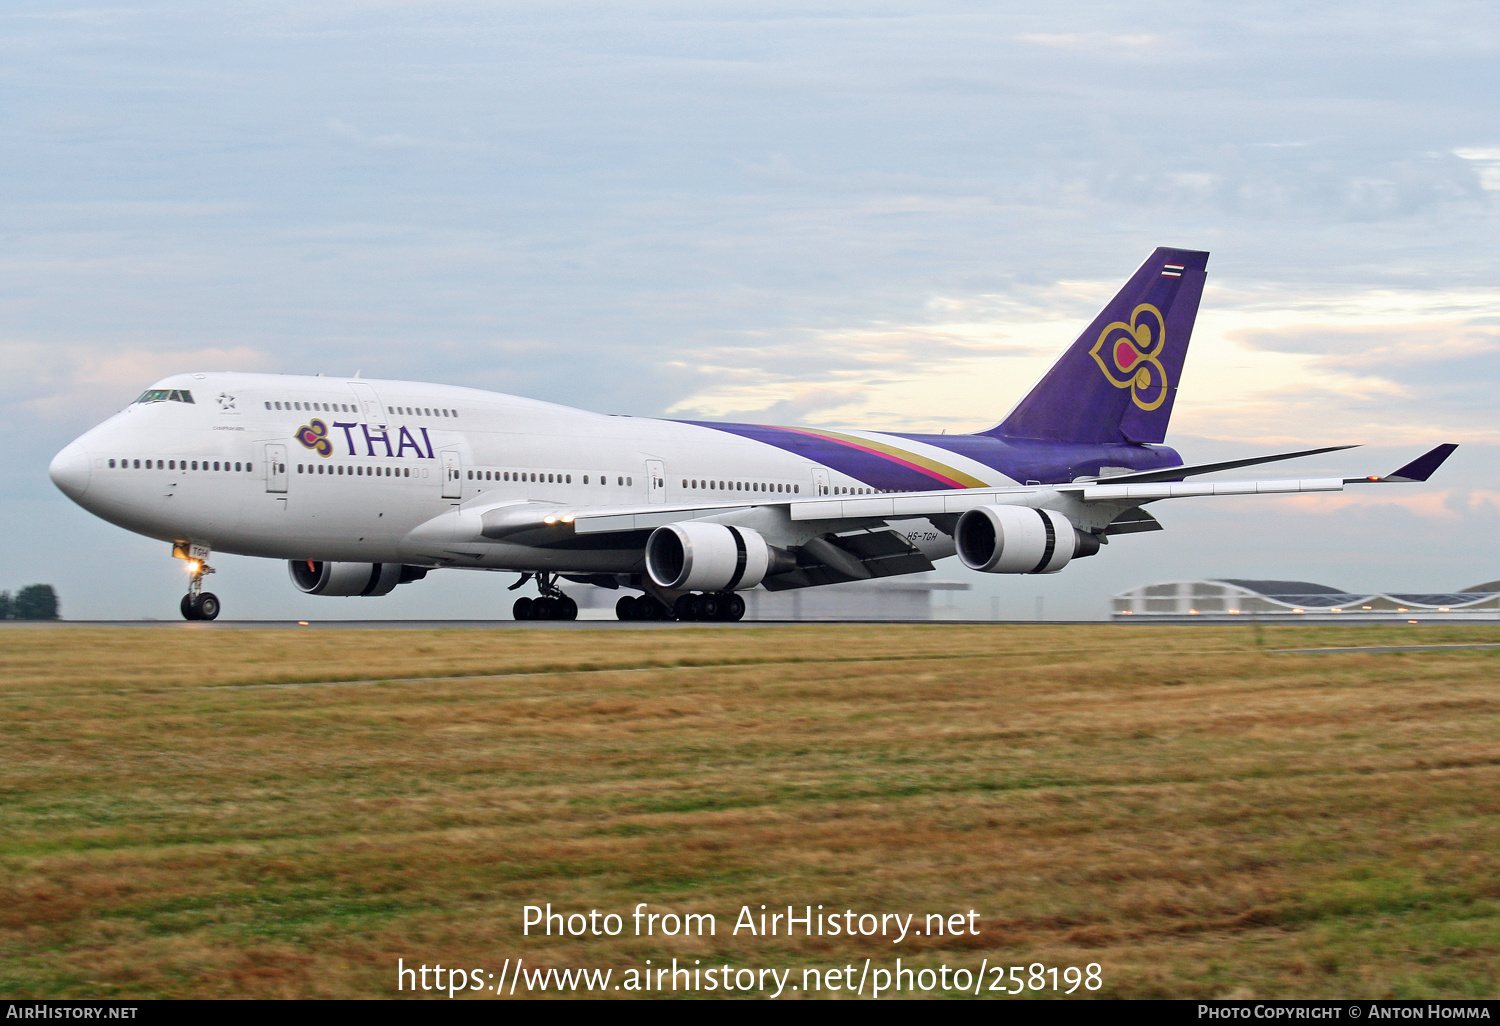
(1118, 382)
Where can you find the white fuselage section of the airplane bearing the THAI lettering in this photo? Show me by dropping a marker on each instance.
(244, 469)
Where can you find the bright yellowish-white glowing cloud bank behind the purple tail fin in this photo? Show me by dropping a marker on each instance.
(1265, 367)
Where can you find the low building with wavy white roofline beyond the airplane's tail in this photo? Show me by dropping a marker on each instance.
(1234, 599)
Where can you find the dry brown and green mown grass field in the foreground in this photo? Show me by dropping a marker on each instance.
(1186, 808)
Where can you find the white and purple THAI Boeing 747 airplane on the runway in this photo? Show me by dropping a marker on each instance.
(680, 515)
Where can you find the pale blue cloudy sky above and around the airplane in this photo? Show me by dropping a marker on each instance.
(866, 215)
